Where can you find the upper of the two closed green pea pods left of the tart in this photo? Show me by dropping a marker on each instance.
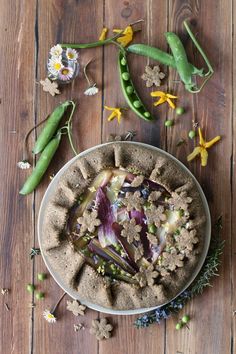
(50, 127)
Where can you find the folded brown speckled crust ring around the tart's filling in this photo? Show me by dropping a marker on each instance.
(70, 265)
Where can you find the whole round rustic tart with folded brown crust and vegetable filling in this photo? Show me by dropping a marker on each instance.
(125, 227)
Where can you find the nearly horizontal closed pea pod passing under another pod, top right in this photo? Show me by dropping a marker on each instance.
(160, 56)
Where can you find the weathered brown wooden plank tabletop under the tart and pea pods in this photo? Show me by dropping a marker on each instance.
(28, 29)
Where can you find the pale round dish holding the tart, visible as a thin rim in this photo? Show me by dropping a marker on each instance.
(72, 292)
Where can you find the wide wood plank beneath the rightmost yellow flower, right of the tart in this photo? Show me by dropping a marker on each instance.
(210, 326)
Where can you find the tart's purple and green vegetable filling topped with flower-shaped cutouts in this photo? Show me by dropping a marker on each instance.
(130, 228)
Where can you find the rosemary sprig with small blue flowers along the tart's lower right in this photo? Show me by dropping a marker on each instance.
(208, 271)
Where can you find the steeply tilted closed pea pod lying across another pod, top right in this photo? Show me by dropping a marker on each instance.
(181, 60)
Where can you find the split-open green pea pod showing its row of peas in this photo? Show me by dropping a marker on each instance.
(129, 91)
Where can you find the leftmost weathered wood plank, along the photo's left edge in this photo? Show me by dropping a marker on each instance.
(16, 219)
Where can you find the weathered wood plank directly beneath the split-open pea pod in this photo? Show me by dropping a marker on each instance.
(127, 339)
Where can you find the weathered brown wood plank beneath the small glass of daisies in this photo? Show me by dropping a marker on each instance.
(75, 22)
